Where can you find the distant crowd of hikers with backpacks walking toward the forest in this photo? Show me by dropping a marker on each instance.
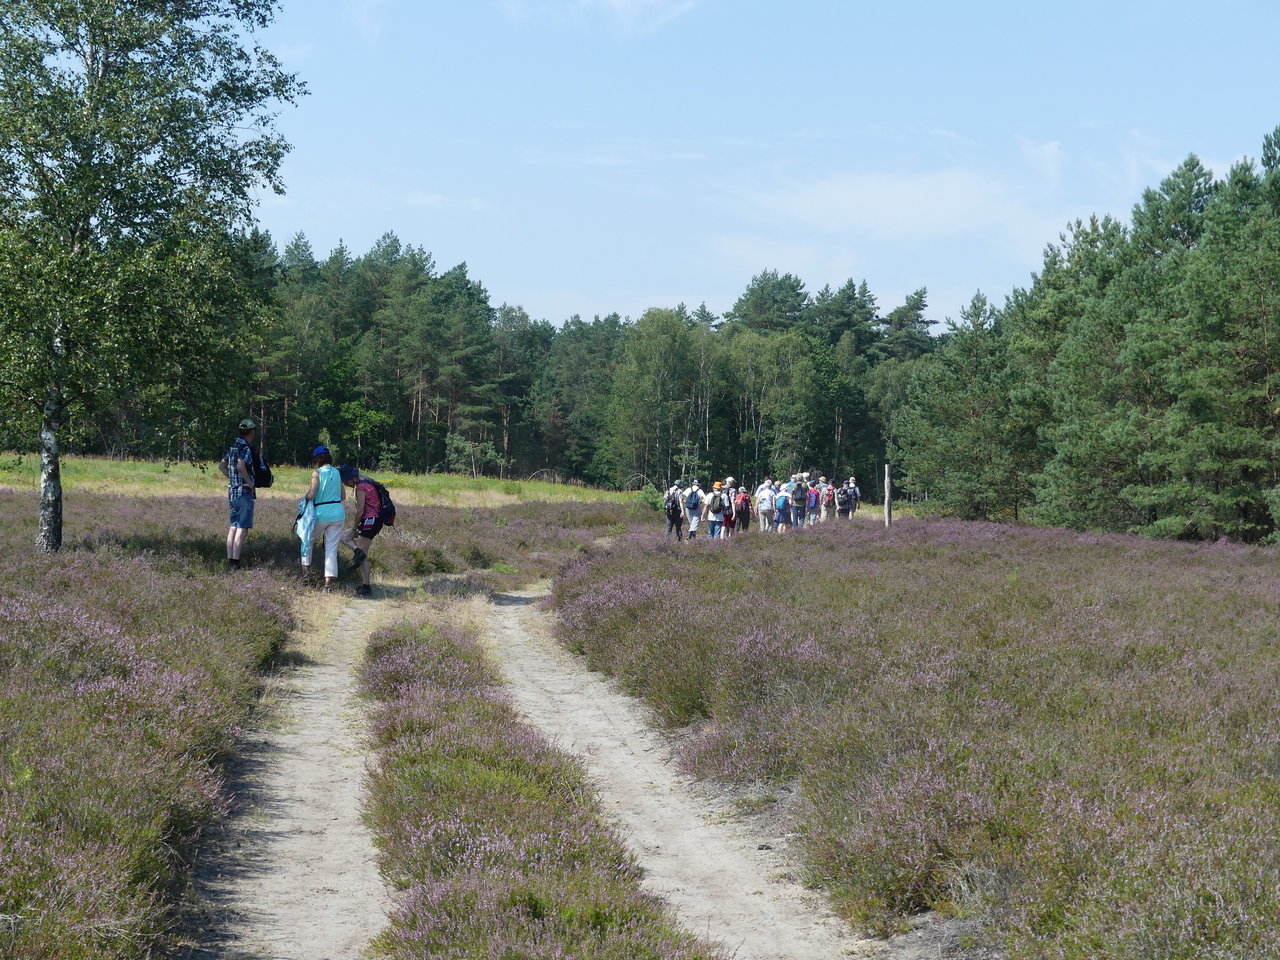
(774, 506)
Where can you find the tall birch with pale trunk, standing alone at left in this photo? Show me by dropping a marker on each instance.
(131, 139)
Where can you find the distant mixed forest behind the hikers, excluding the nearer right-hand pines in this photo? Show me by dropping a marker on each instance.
(405, 367)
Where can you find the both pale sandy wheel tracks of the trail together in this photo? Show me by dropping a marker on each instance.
(294, 877)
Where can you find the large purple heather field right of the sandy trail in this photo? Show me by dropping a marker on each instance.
(1075, 738)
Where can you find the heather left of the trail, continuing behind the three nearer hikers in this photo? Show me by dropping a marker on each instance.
(130, 661)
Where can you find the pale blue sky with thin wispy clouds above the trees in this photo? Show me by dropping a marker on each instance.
(587, 157)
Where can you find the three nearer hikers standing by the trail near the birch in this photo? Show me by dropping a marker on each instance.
(322, 510)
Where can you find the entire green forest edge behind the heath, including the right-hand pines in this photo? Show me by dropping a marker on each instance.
(1131, 386)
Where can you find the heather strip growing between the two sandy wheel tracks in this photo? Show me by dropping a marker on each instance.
(495, 836)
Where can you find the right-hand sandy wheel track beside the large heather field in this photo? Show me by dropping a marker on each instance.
(726, 883)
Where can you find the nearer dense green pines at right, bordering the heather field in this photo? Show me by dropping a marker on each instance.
(1132, 386)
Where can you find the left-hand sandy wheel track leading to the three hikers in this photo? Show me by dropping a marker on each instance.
(295, 876)
